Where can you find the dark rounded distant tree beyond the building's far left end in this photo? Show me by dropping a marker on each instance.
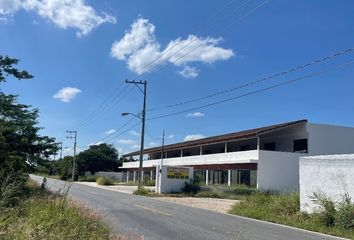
(103, 157)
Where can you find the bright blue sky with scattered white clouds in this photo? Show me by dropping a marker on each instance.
(81, 52)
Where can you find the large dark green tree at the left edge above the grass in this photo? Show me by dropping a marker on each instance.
(21, 146)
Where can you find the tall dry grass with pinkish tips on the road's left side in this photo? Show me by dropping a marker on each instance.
(43, 215)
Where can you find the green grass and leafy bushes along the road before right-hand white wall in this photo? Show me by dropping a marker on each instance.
(285, 209)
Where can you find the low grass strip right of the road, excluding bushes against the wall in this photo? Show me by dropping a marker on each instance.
(284, 209)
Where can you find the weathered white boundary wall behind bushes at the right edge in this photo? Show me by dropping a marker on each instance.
(332, 175)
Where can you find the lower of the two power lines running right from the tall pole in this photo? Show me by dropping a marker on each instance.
(253, 92)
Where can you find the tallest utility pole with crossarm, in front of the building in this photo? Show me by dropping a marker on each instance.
(137, 83)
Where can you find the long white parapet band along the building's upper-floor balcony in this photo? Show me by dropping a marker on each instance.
(219, 158)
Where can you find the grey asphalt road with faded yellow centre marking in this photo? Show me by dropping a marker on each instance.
(155, 219)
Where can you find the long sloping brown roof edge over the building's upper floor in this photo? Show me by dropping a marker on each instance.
(251, 133)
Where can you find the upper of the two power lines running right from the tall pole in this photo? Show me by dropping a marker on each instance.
(257, 81)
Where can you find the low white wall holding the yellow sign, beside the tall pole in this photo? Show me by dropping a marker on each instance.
(167, 185)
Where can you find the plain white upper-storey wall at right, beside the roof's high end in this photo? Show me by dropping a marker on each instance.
(328, 139)
